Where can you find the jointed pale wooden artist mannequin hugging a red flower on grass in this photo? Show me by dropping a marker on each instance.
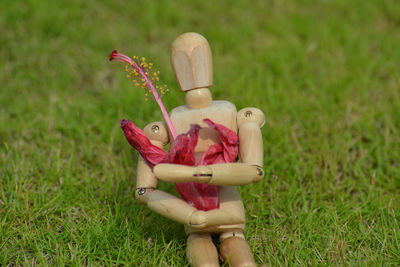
(192, 62)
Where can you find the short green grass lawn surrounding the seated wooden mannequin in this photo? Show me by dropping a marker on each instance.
(326, 74)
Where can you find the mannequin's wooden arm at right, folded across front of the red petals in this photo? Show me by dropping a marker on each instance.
(249, 170)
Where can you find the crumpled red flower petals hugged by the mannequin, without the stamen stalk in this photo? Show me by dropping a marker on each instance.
(201, 196)
